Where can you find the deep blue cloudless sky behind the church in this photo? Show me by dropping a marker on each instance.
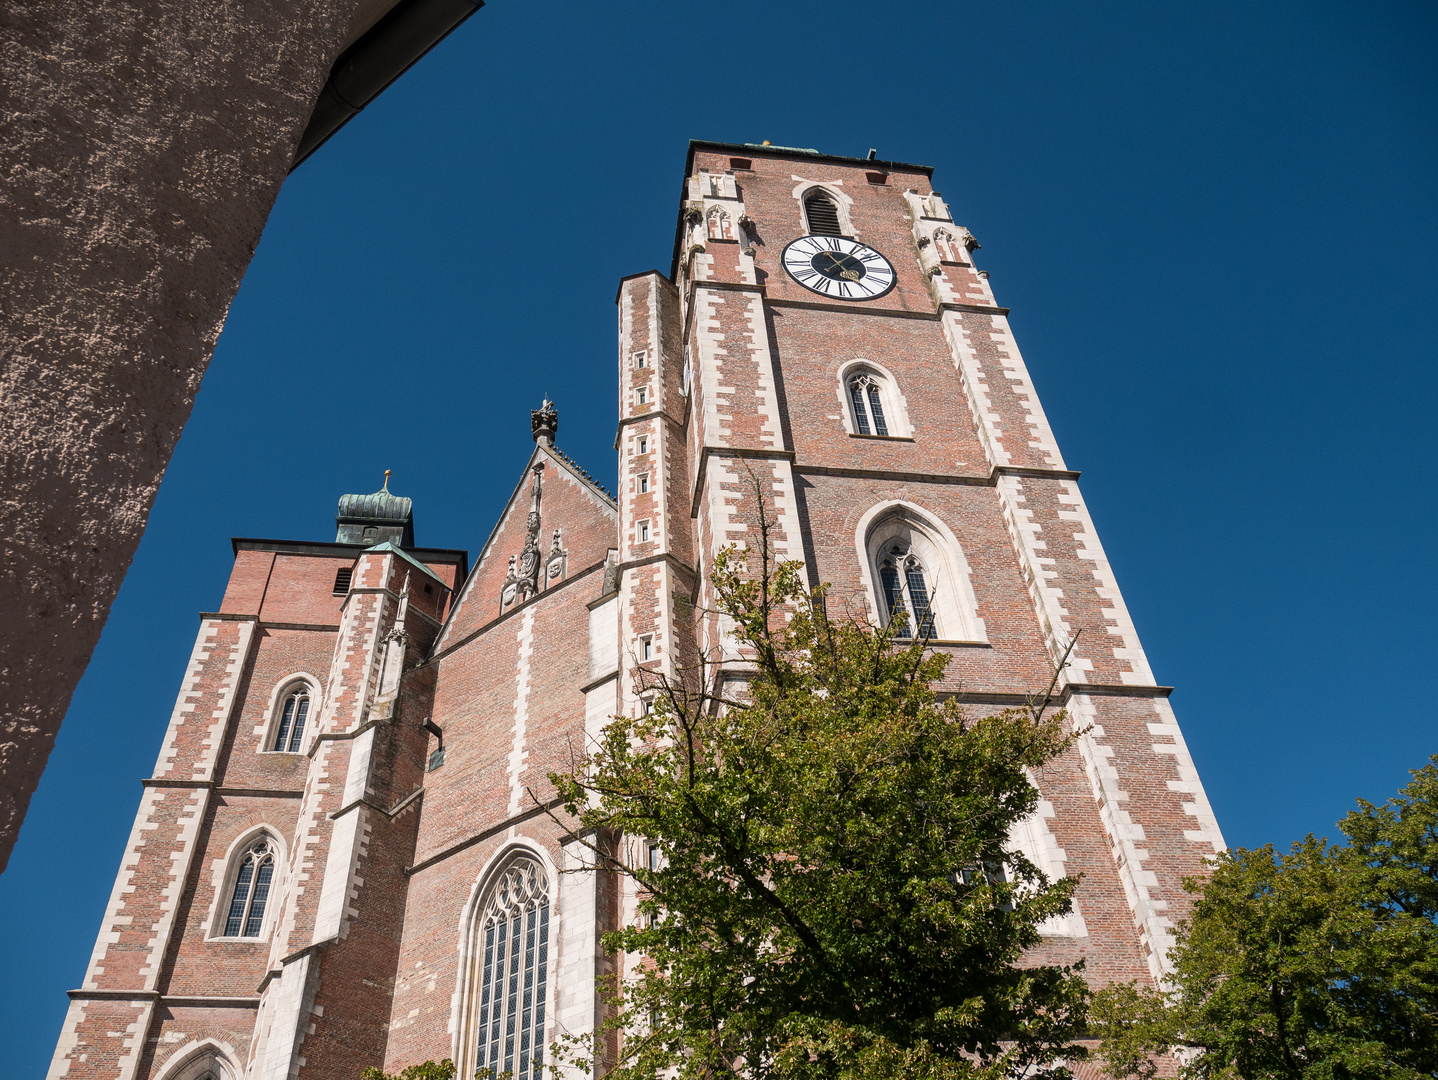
(1214, 224)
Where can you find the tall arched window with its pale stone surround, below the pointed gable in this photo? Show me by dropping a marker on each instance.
(505, 999)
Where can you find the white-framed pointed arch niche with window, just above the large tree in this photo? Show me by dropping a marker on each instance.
(911, 556)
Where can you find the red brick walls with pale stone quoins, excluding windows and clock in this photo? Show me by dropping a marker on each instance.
(507, 684)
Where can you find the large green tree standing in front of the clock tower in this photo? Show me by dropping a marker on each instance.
(832, 894)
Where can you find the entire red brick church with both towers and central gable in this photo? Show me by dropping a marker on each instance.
(346, 855)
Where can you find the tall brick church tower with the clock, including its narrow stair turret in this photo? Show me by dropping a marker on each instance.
(826, 334)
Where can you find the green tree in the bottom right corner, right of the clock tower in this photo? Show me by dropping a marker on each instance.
(1319, 964)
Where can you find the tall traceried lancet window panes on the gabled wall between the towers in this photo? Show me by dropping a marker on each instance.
(514, 931)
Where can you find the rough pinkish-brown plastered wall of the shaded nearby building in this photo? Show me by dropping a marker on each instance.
(143, 146)
